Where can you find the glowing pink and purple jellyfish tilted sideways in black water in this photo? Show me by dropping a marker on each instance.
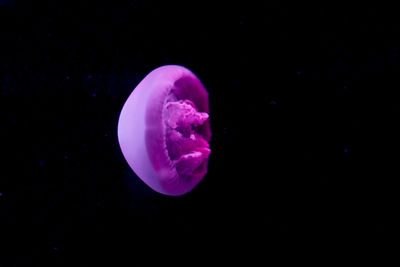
(164, 130)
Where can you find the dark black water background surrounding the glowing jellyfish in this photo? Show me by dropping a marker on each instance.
(304, 113)
